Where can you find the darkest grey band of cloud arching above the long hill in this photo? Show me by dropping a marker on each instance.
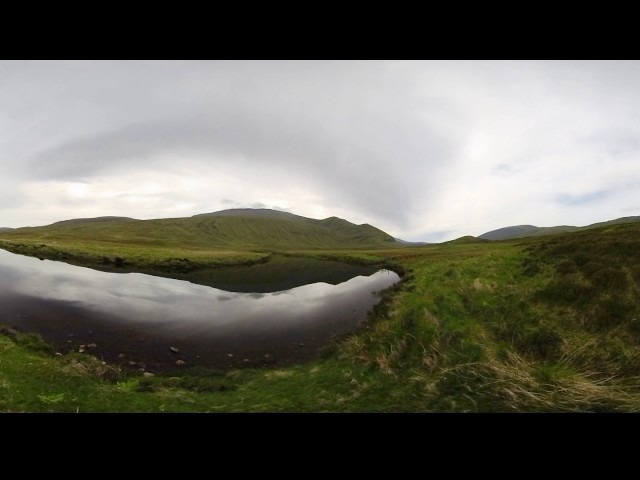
(374, 166)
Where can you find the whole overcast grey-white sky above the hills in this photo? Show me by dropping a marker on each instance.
(425, 150)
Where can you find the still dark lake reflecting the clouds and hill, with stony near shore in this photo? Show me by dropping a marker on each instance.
(277, 313)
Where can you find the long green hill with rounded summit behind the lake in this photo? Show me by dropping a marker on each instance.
(229, 229)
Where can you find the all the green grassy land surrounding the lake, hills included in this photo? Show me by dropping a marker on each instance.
(540, 324)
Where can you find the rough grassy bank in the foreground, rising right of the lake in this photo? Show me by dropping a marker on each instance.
(542, 324)
